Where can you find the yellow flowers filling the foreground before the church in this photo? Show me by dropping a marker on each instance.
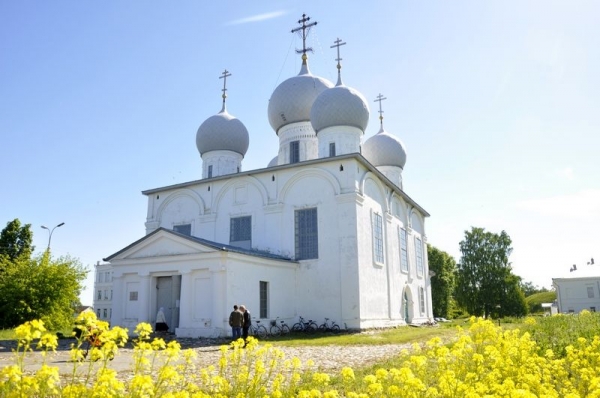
(484, 361)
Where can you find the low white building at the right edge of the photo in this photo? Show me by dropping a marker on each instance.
(579, 290)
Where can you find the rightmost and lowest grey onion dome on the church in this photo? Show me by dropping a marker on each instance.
(384, 149)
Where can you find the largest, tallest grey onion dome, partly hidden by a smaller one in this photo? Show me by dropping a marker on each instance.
(292, 100)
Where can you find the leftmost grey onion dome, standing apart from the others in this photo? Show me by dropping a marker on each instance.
(222, 132)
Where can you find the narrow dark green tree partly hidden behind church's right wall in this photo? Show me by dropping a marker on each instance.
(442, 283)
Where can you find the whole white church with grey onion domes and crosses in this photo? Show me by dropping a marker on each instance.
(325, 230)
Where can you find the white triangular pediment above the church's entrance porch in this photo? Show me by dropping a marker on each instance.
(162, 243)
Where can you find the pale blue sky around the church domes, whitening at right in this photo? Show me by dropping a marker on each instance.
(497, 103)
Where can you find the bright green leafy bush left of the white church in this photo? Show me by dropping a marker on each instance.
(39, 288)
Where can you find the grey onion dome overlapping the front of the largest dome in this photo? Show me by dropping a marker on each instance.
(340, 106)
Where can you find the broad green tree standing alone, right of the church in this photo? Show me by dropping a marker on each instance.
(485, 283)
